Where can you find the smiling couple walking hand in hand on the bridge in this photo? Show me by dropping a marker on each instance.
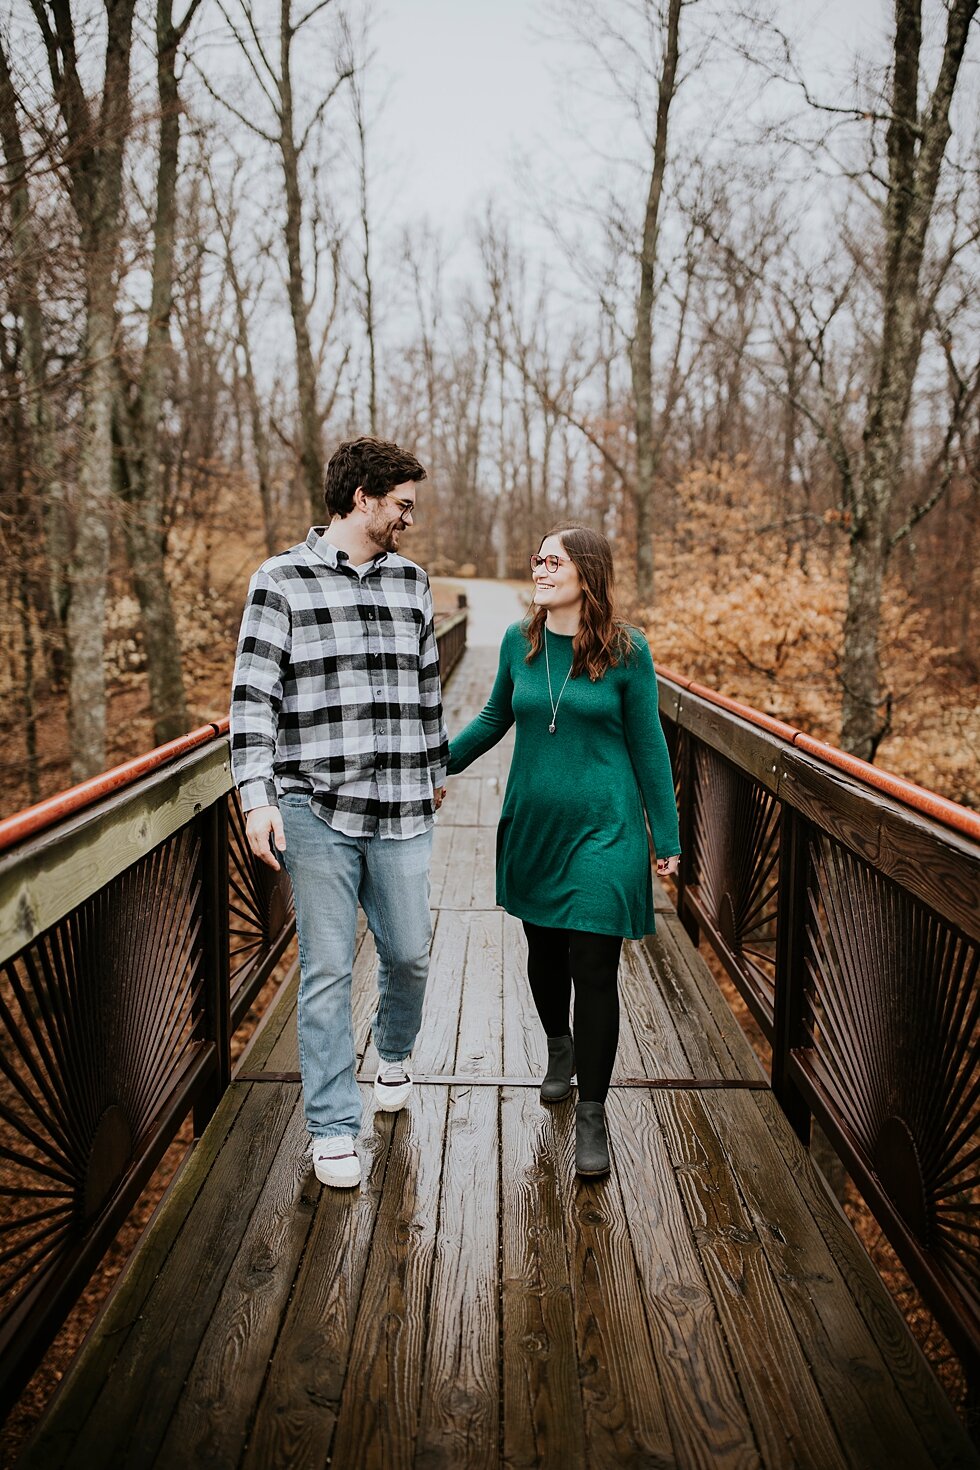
(340, 755)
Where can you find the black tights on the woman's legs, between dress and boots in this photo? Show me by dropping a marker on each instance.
(559, 959)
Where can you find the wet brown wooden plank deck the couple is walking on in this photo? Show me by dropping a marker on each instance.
(475, 1305)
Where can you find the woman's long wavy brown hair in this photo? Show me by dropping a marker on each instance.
(603, 639)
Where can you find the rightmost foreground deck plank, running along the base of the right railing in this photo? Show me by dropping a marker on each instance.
(878, 1387)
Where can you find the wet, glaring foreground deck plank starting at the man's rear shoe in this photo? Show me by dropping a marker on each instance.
(378, 1419)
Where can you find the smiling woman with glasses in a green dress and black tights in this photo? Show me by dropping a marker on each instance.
(572, 850)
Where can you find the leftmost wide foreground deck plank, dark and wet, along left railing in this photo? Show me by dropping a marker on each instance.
(129, 1424)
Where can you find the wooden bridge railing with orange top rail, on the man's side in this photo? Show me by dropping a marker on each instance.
(136, 934)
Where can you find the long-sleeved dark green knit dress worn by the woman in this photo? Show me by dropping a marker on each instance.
(572, 849)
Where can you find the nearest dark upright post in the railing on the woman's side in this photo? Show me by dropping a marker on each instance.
(791, 978)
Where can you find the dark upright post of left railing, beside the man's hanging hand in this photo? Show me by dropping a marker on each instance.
(215, 958)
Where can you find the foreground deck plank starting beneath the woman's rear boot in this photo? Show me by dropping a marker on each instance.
(543, 1402)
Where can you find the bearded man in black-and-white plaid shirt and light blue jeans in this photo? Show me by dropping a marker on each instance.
(340, 755)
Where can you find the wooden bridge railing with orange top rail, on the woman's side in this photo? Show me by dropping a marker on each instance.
(846, 906)
